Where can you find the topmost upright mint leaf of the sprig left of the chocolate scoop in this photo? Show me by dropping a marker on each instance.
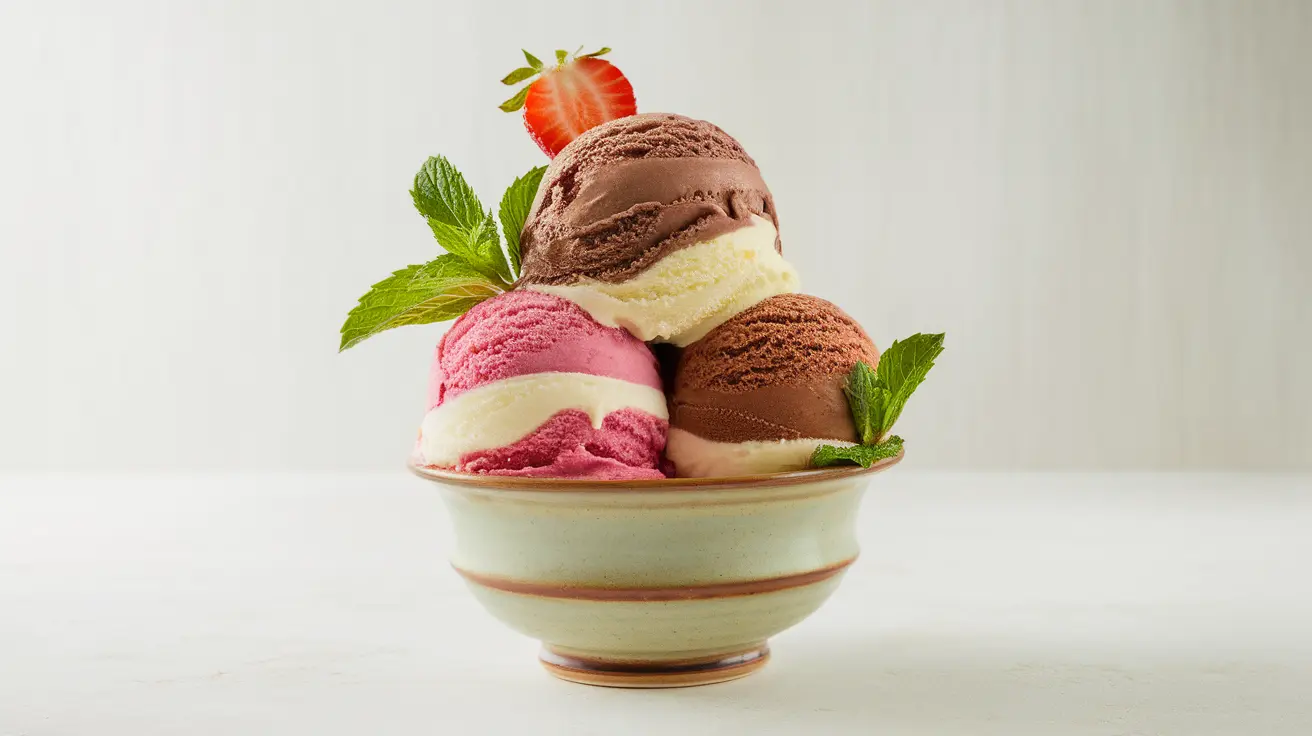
(457, 218)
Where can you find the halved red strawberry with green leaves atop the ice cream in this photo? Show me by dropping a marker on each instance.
(577, 95)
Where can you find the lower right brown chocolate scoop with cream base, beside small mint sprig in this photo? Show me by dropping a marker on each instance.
(766, 388)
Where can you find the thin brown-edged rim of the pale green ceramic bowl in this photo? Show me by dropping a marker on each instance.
(665, 485)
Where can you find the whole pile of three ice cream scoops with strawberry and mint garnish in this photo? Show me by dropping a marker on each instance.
(646, 232)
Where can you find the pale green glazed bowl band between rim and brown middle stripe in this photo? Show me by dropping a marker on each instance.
(641, 540)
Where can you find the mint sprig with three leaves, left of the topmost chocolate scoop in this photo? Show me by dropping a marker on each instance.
(474, 268)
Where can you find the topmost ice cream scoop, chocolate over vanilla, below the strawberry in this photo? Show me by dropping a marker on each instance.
(657, 224)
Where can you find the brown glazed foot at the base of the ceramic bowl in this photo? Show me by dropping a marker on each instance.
(630, 674)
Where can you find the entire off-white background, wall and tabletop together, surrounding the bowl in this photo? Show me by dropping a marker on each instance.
(1107, 205)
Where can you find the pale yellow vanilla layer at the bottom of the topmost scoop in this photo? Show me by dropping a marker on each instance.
(687, 295)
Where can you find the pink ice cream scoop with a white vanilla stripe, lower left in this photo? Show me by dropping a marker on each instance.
(528, 384)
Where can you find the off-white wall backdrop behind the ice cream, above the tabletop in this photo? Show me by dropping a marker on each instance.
(1107, 205)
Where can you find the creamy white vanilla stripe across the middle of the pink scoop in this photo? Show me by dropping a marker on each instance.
(503, 413)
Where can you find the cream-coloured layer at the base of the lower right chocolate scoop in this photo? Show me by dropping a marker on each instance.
(696, 457)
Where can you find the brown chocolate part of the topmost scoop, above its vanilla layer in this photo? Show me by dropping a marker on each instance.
(630, 192)
